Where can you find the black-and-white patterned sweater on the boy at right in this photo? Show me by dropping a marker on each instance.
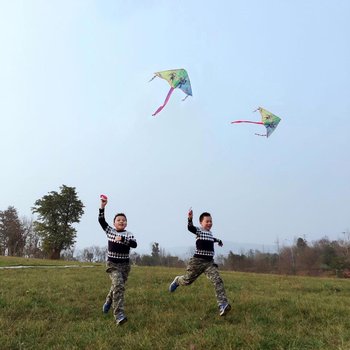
(204, 242)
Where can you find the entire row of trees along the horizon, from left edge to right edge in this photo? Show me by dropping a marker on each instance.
(52, 235)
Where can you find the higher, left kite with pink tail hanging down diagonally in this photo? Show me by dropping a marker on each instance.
(177, 78)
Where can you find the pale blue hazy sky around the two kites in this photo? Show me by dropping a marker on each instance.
(76, 109)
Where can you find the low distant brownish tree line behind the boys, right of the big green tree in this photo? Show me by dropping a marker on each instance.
(321, 258)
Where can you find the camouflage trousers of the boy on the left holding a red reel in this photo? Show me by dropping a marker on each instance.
(119, 275)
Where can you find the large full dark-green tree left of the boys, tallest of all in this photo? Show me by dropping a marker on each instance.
(57, 212)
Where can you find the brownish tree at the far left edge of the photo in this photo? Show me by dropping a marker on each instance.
(12, 238)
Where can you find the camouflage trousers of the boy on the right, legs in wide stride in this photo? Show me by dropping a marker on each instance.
(195, 268)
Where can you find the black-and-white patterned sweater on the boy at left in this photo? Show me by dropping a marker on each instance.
(118, 251)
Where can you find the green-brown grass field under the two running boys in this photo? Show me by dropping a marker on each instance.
(61, 308)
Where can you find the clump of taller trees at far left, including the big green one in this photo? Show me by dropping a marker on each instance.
(51, 234)
